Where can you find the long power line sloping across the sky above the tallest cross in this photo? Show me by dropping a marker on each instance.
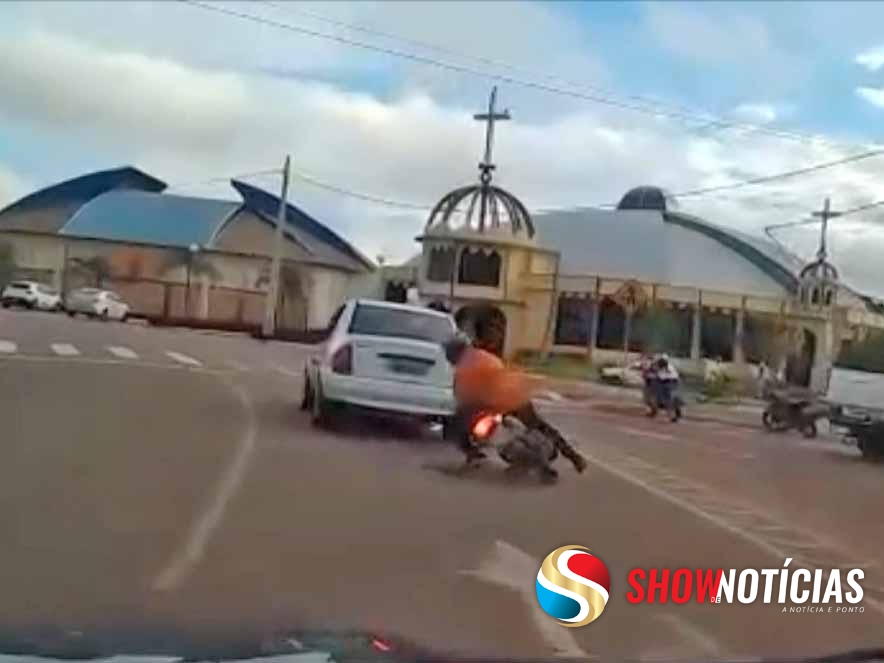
(463, 69)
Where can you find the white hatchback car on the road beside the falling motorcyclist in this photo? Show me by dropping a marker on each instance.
(382, 356)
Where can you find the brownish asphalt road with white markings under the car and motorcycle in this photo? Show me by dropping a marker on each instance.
(163, 479)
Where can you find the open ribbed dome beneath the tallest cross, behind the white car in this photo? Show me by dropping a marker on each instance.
(481, 208)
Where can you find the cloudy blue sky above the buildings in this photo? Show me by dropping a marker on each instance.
(724, 91)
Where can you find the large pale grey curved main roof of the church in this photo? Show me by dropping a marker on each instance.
(669, 248)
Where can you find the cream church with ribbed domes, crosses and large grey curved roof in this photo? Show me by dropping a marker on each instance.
(644, 277)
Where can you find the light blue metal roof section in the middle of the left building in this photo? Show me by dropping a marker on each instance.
(150, 218)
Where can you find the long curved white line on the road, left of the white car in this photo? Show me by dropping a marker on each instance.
(195, 546)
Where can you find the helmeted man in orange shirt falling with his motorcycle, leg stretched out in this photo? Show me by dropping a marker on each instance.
(481, 381)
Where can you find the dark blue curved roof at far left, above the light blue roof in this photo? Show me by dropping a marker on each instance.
(71, 194)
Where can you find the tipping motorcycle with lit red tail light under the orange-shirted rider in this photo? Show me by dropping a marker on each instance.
(517, 446)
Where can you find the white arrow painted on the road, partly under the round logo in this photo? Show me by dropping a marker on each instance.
(507, 566)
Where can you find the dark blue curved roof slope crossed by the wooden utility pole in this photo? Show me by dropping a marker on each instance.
(318, 238)
